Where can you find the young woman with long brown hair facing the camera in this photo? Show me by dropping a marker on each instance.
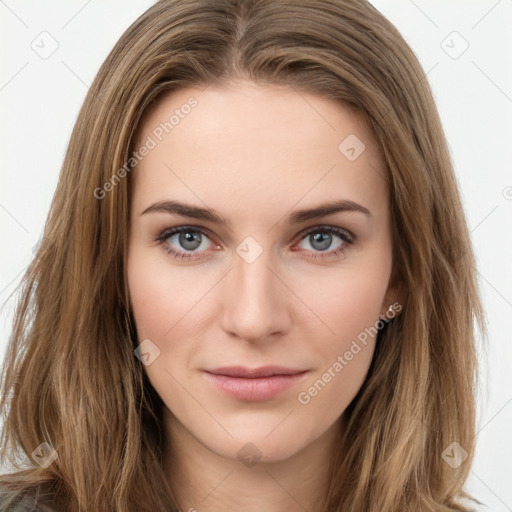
(256, 287)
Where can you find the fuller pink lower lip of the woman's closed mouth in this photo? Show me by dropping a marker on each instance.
(257, 389)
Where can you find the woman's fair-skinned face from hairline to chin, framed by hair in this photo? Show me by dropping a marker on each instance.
(255, 280)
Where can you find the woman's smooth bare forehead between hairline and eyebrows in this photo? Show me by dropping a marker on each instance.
(245, 143)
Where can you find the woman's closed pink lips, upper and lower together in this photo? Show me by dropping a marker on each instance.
(254, 384)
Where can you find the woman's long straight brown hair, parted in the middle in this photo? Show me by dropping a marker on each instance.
(70, 377)
